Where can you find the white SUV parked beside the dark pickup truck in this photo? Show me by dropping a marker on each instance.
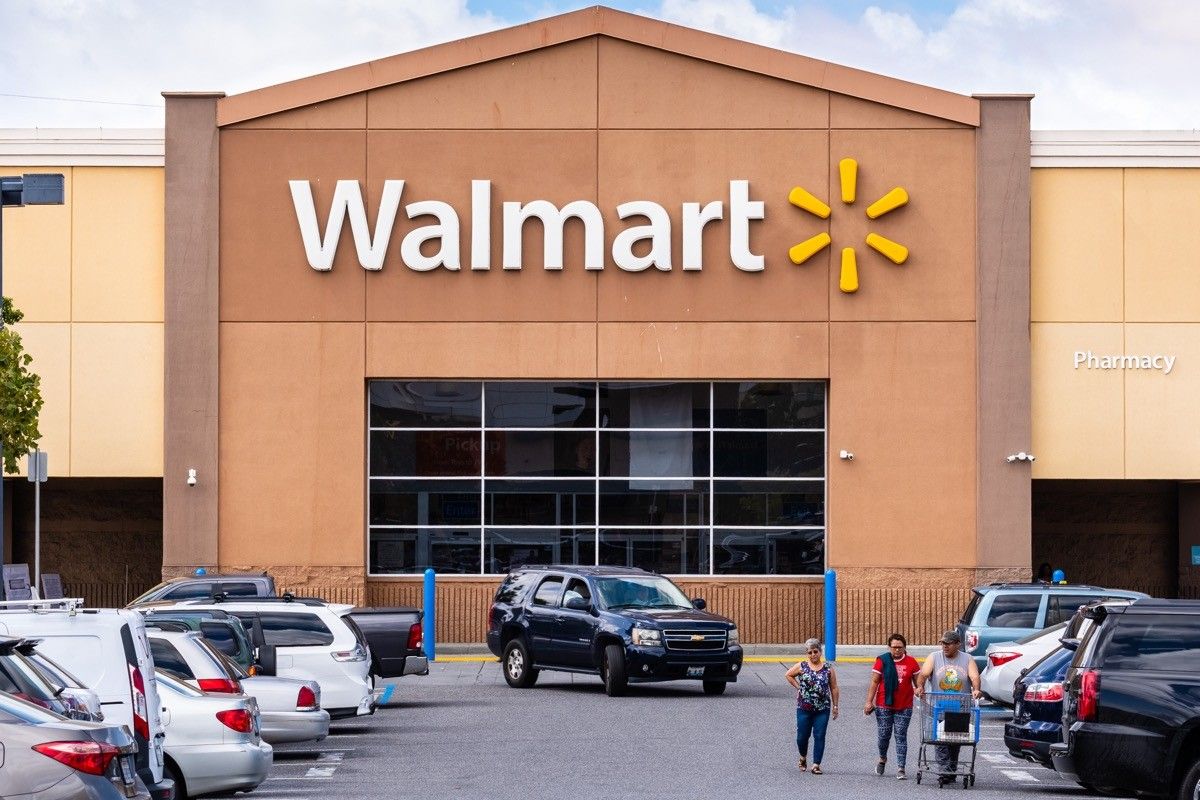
(308, 640)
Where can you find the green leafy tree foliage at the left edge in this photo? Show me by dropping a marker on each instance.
(21, 393)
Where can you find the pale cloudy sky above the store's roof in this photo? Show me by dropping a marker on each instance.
(1091, 64)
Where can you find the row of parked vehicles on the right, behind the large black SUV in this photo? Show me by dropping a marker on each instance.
(1108, 697)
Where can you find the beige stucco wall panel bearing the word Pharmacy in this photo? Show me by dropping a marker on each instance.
(1113, 273)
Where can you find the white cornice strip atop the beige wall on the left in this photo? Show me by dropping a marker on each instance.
(82, 147)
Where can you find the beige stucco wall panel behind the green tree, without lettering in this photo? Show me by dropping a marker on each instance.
(89, 278)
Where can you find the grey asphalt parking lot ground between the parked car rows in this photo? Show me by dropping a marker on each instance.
(463, 732)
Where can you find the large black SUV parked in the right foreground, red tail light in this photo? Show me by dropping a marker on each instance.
(1132, 706)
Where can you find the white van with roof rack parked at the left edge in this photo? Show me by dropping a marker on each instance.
(109, 651)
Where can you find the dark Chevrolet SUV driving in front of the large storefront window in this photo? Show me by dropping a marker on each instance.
(620, 623)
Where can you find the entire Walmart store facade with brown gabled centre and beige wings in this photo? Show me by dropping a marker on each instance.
(603, 290)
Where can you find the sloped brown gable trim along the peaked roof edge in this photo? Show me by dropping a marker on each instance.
(597, 21)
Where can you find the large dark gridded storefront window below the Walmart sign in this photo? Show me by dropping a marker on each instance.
(677, 478)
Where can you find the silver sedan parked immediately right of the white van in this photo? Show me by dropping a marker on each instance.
(213, 741)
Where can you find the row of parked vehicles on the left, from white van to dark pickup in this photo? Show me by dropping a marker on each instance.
(185, 695)
